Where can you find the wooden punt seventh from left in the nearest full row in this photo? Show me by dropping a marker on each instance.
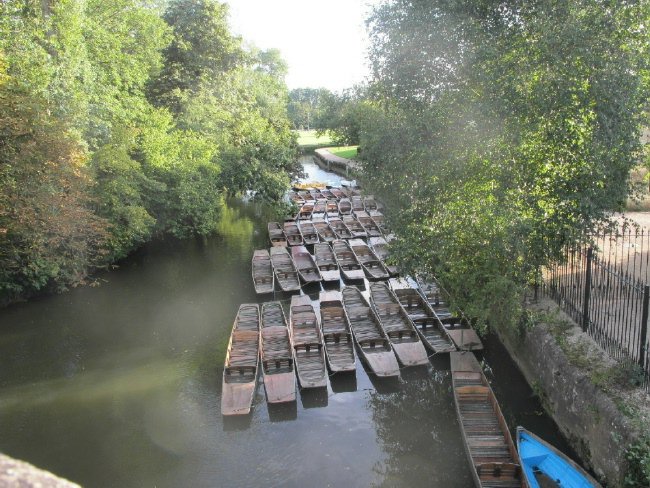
(431, 331)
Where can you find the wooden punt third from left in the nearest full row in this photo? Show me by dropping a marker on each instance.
(307, 341)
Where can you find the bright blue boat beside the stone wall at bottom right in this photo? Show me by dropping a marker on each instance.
(546, 467)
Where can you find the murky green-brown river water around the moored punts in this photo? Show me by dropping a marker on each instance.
(118, 385)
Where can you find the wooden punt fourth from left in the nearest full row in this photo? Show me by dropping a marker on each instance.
(337, 336)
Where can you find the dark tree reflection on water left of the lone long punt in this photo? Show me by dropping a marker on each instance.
(420, 434)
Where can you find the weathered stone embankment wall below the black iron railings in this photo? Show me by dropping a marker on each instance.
(582, 389)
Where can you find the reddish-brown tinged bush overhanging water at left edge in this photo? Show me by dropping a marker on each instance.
(48, 235)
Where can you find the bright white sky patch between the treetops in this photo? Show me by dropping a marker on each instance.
(324, 42)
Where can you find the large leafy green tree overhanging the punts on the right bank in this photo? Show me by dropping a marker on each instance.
(498, 132)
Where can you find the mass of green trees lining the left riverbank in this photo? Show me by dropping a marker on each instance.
(119, 123)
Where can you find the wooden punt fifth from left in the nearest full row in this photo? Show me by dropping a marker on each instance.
(374, 347)
